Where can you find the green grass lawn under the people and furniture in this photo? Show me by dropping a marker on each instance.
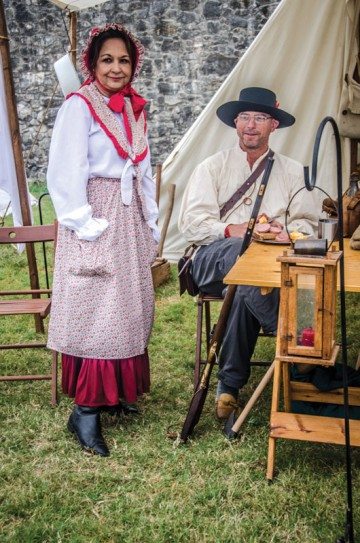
(148, 490)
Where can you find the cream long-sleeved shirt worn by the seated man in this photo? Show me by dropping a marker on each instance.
(217, 178)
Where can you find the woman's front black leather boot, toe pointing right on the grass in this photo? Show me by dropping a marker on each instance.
(84, 422)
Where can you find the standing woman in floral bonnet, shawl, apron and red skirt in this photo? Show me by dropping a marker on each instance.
(100, 181)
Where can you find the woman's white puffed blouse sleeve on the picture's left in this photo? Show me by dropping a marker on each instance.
(68, 170)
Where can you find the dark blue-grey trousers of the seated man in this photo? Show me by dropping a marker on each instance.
(250, 310)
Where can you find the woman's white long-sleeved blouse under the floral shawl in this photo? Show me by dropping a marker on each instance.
(81, 150)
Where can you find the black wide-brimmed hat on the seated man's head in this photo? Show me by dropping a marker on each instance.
(254, 99)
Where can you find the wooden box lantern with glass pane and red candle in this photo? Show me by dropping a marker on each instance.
(308, 308)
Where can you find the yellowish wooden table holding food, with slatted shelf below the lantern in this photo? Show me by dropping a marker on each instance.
(258, 267)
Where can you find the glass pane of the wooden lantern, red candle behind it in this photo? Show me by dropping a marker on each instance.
(306, 310)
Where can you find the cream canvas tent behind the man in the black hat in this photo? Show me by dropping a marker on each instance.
(301, 53)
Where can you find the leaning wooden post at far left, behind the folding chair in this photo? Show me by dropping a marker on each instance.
(17, 150)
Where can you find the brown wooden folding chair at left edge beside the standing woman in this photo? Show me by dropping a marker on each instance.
(30, 302)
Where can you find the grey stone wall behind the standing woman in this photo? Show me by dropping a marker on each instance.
(191, 46)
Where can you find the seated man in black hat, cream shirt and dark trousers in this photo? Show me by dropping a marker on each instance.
(217, 227)
